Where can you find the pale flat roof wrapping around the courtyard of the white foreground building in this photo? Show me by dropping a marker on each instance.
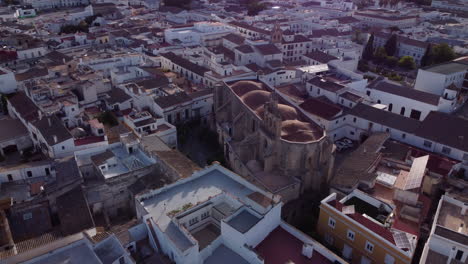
(200, 187)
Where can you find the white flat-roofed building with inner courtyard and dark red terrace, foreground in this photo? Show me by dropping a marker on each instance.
(216, 216)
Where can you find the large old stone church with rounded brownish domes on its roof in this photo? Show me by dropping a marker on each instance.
(270, 142)
